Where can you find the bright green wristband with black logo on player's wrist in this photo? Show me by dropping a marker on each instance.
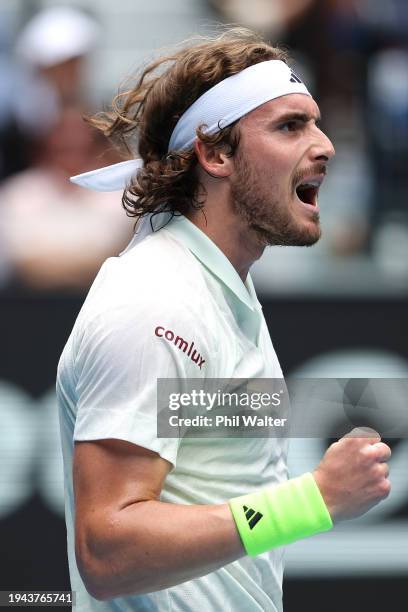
(279, 515)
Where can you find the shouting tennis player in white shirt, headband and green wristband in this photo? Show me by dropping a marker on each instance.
(232, 159)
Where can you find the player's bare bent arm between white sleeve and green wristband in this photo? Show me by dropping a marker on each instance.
(127, 541)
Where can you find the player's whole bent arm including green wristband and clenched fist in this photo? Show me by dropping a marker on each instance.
(134, 545)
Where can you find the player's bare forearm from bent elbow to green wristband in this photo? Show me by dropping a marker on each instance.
(151, 545)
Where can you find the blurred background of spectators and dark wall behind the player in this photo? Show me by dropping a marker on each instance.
(336, 310)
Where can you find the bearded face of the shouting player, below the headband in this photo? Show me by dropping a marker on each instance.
(279, 166)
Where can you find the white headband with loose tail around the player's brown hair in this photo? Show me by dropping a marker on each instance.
(217, 108)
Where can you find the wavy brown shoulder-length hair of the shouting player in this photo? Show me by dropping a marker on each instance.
(148, 113)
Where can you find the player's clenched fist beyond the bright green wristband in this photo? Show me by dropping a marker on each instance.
(353, 474)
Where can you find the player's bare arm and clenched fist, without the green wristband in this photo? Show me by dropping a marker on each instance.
(127, 541)
